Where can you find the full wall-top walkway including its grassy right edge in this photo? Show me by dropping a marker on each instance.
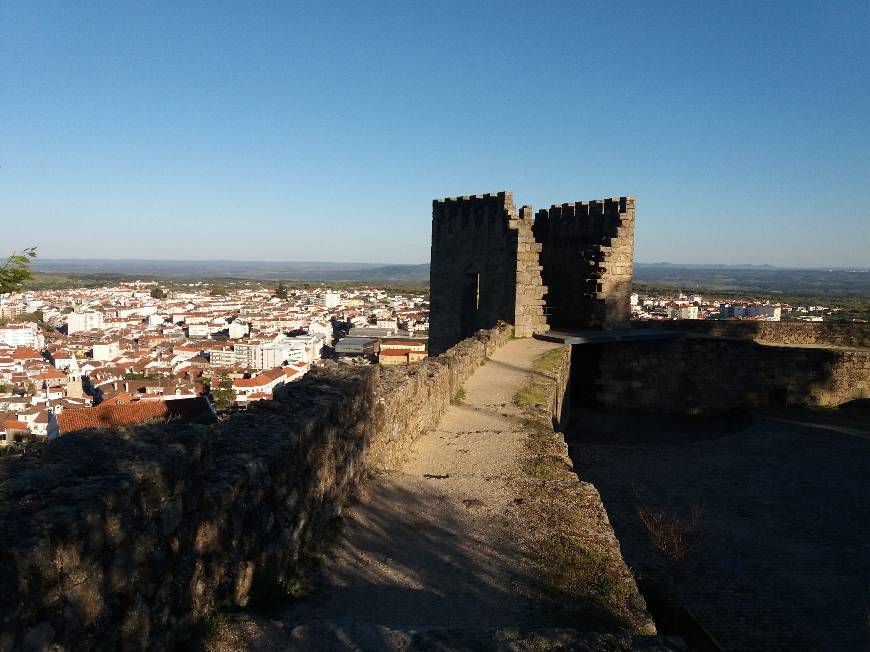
(445, 552)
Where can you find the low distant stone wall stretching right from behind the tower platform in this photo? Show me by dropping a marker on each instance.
(844, 334)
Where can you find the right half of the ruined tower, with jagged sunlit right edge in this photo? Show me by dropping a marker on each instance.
(587, 260)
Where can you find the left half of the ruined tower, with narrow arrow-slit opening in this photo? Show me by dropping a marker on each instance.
(484, 269)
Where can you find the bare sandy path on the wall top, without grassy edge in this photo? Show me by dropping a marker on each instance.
(430, 545)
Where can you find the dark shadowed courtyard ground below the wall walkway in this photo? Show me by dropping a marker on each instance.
(782, 563)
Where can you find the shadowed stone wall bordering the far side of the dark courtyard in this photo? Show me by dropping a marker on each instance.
(714, 375)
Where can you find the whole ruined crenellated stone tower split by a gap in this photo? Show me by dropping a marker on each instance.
(493, 263)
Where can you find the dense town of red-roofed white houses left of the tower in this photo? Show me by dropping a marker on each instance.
(115, 356)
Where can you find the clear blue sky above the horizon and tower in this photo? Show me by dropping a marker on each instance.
(277, 131)
